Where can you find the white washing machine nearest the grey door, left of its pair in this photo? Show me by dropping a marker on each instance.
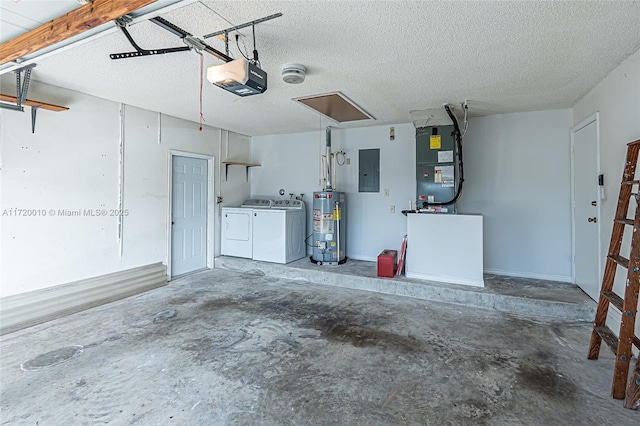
(237, 227)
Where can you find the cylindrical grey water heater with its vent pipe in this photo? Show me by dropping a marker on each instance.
(329, 236)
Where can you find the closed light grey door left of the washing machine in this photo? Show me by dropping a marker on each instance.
(189, 215)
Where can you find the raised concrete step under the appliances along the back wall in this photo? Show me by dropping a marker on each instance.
(516, 295)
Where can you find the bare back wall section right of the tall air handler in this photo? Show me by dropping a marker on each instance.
(517, 175)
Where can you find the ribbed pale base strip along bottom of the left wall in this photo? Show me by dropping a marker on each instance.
(35, 307)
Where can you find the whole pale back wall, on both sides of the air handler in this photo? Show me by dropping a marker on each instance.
(517, 168)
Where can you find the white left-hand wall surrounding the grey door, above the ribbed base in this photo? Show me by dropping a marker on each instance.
(72, 162)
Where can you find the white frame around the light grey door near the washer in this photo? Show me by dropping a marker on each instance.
(210, 204)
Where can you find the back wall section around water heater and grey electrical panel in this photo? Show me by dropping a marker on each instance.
(292, 162)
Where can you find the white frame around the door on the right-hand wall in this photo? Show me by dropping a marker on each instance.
(595, 117)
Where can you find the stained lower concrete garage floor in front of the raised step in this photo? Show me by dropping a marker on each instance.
(228, 347)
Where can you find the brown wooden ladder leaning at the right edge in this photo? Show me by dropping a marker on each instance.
(621, 345)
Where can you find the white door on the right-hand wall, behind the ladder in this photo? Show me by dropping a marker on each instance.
(585, 209)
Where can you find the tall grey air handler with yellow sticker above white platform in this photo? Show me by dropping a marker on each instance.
(436, 170)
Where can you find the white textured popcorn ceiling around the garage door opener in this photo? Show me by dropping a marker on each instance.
(389, 57)
